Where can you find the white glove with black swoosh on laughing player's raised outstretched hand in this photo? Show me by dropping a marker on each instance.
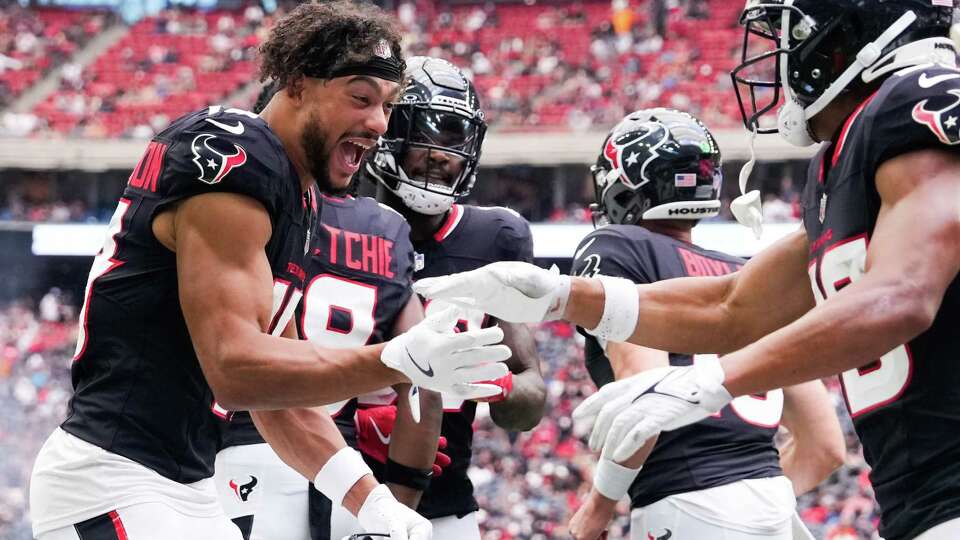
(432, 356)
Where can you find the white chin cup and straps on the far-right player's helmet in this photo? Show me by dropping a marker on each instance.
(793, 118)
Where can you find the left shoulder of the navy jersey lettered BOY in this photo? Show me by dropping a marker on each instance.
(617, 250)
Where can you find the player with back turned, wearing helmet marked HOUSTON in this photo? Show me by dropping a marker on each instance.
(657, 174)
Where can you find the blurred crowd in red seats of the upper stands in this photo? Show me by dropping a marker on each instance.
(575, 65)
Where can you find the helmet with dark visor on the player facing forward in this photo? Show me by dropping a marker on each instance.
(429, 155)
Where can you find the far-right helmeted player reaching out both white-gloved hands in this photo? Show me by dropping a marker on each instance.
(879, 252)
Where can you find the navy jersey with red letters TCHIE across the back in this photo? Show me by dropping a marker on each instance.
(358, 278)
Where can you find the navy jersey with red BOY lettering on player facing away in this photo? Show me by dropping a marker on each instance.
(734, 444)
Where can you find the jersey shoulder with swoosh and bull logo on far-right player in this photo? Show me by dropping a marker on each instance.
(915, 109)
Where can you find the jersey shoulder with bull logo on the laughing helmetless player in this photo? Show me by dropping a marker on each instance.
(227, 150)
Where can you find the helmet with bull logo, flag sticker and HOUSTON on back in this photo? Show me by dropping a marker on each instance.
(657, 164)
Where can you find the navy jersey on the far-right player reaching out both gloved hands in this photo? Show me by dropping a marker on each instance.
(906, 403)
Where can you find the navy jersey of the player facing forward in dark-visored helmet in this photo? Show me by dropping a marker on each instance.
(470, 237)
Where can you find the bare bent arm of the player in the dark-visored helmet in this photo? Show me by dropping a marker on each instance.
(524, 406)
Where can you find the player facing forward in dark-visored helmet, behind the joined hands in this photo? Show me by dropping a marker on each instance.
(425, 162)
